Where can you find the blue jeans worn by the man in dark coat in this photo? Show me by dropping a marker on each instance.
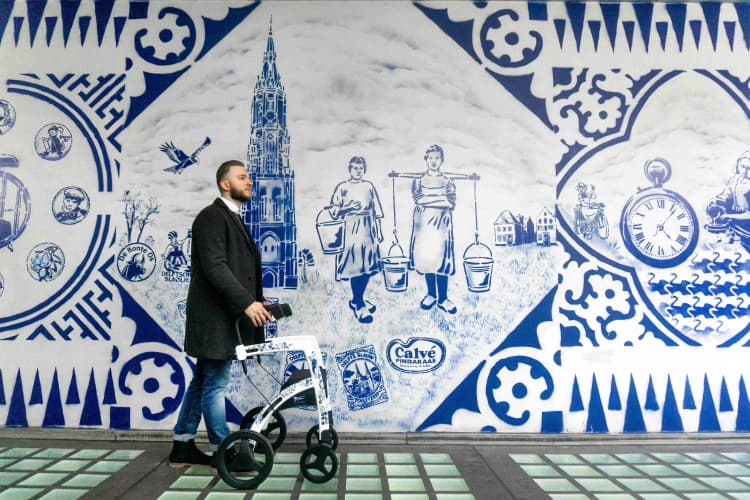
(205, 395)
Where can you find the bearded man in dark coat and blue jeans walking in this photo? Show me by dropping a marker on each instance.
(225, 288)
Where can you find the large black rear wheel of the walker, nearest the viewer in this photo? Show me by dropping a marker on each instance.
(244, 459)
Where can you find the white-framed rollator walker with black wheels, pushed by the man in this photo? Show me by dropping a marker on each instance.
(245, 457)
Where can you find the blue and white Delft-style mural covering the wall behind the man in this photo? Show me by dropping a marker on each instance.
(494, 216)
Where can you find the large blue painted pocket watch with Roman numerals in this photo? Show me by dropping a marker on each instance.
(658, 226)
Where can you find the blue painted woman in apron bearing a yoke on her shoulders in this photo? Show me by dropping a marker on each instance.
(431, 249)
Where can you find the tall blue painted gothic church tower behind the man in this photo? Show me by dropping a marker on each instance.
(270, 213)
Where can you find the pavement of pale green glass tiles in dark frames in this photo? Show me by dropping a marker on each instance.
(535, 468)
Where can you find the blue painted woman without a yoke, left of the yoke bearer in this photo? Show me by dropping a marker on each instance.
(356, 202)
